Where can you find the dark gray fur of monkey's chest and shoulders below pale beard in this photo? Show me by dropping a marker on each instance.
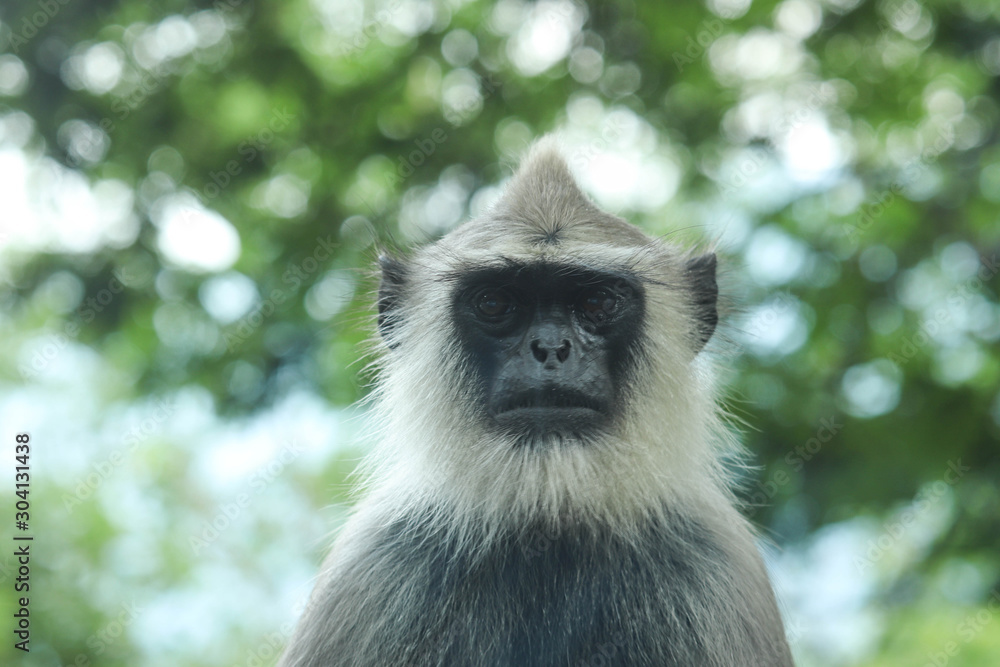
(666, 595)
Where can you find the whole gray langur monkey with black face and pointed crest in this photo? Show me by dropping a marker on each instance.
(547, 489)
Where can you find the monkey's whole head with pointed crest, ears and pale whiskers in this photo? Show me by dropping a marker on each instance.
(541, 357)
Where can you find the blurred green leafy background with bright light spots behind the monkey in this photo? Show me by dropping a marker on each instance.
(192, 194)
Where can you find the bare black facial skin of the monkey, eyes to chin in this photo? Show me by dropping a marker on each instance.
(551, 345)
